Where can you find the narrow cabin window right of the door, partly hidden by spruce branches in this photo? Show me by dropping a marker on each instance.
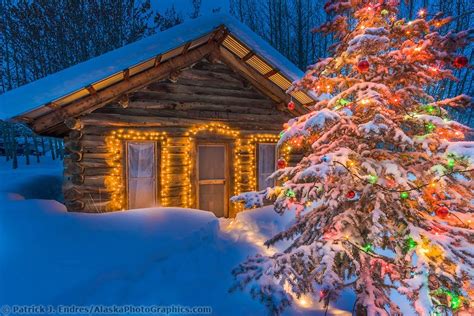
(266, 156)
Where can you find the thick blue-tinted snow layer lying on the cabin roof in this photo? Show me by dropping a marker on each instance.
(58, 86)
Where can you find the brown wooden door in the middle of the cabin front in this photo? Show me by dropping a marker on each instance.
(212, 176)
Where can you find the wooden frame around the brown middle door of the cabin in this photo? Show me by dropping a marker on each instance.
(227, 174)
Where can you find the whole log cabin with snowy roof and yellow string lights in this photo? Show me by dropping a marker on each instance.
(188, 118)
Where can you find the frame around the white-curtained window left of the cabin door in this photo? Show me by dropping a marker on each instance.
(157, 164)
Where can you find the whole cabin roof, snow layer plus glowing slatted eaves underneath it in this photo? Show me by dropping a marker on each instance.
(84, 79)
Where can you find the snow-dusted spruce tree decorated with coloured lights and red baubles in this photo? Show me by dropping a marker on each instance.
(383, 197)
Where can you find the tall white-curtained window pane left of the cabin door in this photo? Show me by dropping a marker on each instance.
(141, 174)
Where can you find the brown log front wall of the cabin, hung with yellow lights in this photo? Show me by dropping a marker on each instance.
(166, 112)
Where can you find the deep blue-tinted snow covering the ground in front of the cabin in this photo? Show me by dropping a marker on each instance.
(160, 256)
